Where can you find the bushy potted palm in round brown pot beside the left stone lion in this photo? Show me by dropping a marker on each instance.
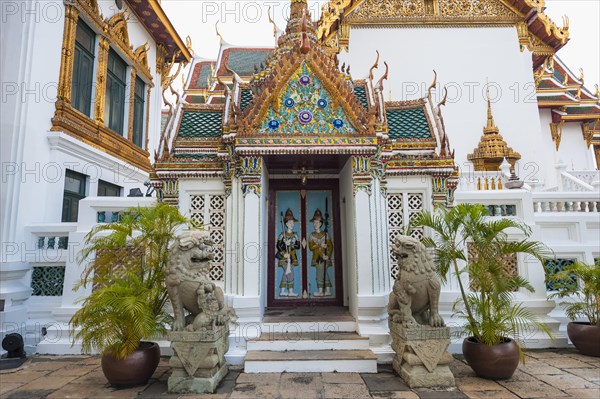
(127, 303)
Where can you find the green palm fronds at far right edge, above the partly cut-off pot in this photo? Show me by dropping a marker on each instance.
(584, 301)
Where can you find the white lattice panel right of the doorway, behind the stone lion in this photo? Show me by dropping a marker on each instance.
(402, 209)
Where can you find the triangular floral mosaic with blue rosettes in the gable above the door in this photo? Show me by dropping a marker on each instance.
(305, 107)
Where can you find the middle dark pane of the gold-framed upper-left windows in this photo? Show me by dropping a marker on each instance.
(115, 92)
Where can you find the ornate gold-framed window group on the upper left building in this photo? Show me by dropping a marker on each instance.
(114, 118)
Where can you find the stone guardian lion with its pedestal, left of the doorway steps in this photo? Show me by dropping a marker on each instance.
(200, 339)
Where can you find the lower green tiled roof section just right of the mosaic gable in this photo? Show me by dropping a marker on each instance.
(408, 123)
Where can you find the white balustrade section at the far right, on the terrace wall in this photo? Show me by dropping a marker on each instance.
(586, 202)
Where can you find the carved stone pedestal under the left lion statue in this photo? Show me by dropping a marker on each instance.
(198, 361)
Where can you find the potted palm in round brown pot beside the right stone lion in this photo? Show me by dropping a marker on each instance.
(494, 323)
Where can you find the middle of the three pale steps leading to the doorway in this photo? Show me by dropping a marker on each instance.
(300, 341)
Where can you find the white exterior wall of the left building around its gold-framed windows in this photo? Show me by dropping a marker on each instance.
(34, 159)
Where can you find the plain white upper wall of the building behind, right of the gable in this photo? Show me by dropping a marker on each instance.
(464, 58)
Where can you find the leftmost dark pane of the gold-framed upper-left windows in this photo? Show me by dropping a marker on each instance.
(83, 68)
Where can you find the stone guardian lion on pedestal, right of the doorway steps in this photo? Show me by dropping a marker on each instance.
(419, 336)
